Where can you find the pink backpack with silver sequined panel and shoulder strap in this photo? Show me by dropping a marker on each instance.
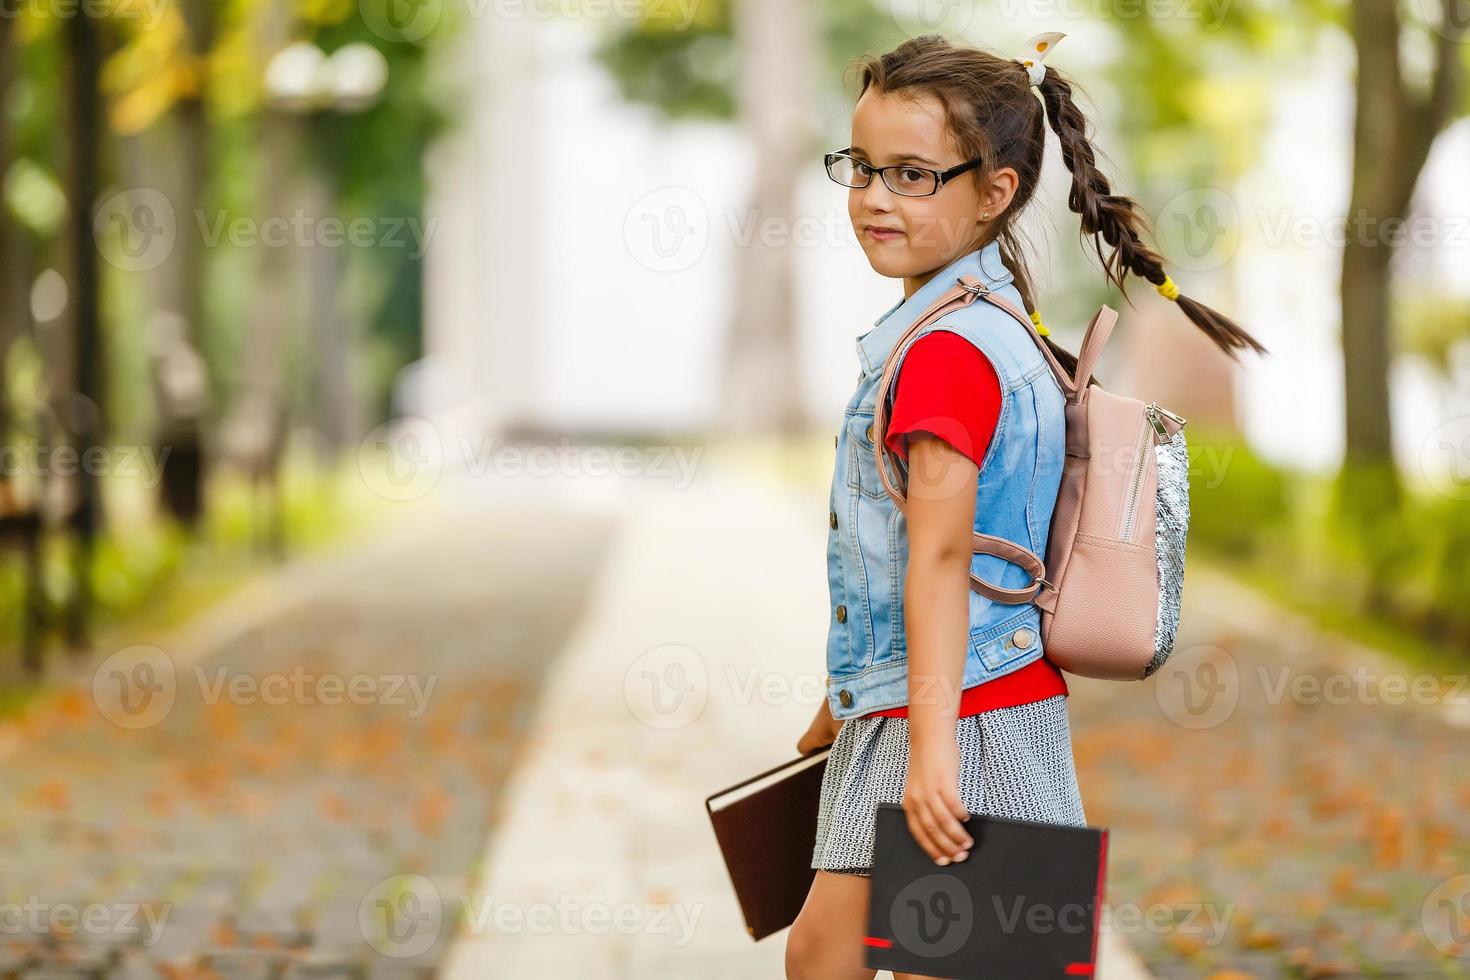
(1111, 587)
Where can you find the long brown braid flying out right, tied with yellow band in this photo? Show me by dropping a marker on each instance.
(1116, 220)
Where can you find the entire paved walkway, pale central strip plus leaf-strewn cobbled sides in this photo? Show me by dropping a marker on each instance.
(1271, 815)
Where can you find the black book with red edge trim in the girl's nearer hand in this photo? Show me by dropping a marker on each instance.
(1024, 906)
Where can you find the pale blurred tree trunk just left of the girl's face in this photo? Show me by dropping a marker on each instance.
(764, 372)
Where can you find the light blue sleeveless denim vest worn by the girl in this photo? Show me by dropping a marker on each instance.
(868, 544)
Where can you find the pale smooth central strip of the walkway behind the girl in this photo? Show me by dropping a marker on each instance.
(699, 663)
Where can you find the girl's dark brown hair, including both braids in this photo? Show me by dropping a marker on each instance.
(994, 115)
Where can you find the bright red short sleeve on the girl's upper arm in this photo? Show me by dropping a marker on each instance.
(946, 387)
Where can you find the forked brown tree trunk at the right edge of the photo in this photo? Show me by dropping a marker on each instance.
(1393, 136)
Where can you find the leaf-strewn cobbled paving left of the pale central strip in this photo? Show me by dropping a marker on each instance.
(283, 790)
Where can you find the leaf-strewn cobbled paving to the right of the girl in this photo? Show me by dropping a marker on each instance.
(1277, 812)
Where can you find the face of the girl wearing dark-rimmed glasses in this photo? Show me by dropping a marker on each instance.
(915, 237)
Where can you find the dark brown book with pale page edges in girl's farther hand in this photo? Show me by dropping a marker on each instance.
(767, 828)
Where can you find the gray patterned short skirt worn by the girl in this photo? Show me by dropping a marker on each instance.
(1014, 763)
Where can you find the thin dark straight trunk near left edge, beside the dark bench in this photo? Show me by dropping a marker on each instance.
(87, 414)
